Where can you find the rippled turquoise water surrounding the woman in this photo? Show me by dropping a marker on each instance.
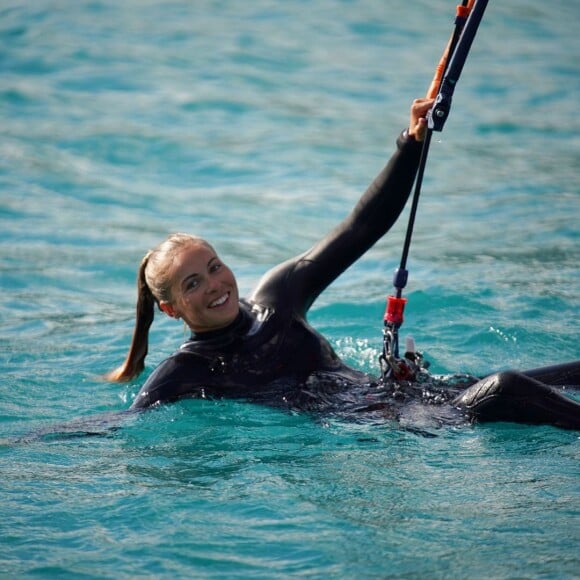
(257, 125)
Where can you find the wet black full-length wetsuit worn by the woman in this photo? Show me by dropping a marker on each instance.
(270, 354)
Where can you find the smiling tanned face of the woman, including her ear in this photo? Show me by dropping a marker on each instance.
(204, 290)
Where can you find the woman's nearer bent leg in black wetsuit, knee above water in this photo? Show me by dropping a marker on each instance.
(517, 397)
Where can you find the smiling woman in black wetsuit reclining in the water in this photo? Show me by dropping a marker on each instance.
(263, 349)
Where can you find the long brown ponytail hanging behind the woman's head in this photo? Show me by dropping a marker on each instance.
(135, 361)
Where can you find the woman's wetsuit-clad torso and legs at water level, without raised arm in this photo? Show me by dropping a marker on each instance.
(284, 363)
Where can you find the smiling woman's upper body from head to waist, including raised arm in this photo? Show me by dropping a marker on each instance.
(185, 279)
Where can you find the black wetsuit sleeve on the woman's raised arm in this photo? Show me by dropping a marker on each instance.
(296, 283)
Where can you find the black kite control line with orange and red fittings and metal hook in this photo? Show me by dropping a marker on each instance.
(467, 19)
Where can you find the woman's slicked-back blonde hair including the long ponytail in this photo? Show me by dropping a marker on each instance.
(153, 286)
